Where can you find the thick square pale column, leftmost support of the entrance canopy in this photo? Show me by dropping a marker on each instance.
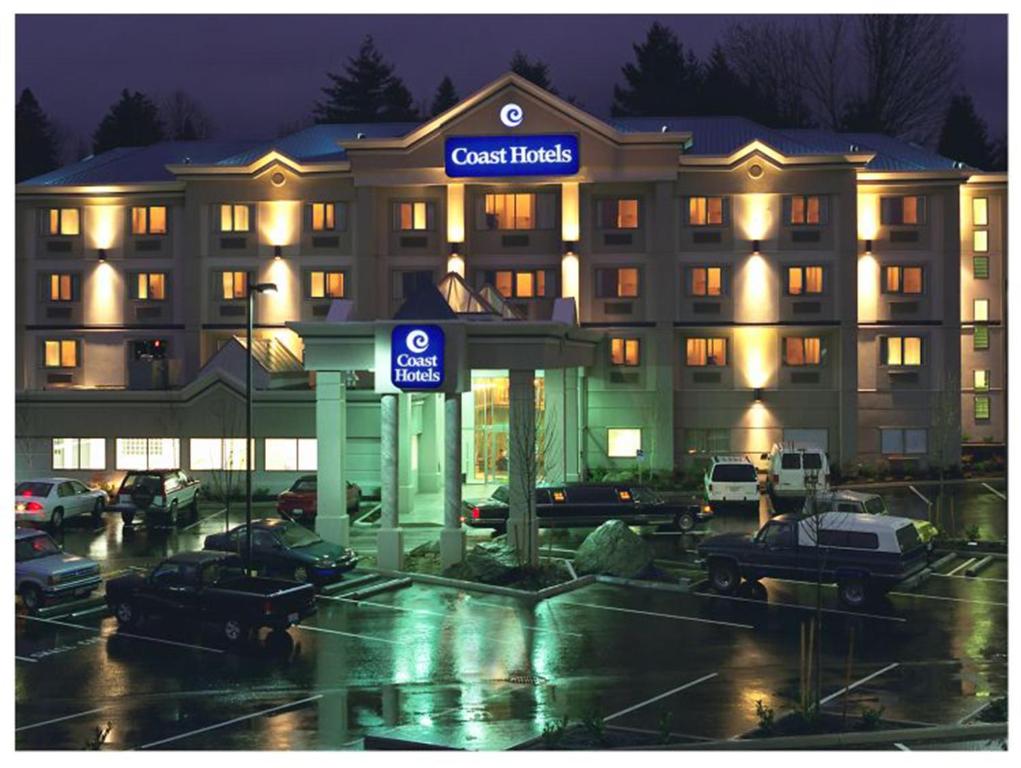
(332, 522)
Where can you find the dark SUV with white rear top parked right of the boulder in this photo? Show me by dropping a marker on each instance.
(864, 555)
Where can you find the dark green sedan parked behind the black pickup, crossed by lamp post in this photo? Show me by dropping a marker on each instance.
(287, 550)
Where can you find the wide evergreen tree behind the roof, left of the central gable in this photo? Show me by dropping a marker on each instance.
(367, 92)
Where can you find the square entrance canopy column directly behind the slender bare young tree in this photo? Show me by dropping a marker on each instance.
(522, 530)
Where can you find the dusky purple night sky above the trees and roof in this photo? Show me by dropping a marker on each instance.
(257, 73)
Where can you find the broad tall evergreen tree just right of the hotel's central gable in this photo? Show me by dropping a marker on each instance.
(661, 81)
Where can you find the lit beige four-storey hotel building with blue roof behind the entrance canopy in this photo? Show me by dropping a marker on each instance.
(733, 286)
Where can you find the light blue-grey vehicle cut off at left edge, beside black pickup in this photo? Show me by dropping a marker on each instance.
(44, 573)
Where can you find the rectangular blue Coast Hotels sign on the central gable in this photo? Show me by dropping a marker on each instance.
(548, 155)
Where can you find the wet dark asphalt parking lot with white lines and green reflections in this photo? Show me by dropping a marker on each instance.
(470, 670)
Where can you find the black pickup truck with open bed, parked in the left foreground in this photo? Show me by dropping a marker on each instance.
(210, 588)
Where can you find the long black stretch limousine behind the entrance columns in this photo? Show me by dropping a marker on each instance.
(588, 505)
